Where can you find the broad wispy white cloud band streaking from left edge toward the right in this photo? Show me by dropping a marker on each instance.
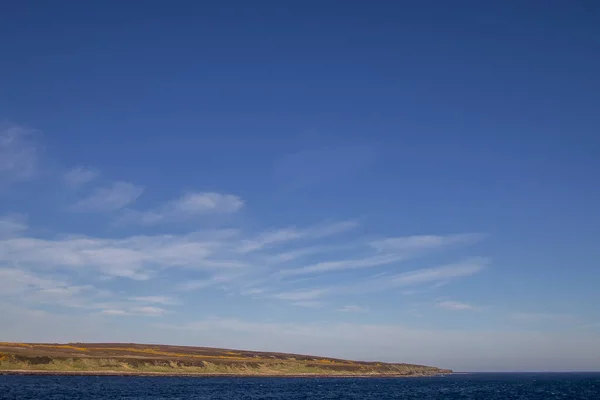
(215, 258)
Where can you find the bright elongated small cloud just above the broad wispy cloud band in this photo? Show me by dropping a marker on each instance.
(188, 206)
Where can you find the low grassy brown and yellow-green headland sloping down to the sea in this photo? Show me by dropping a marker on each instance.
(141, 358)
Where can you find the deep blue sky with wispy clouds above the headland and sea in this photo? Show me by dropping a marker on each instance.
(402, 181)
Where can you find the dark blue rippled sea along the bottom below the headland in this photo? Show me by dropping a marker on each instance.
(477, 386)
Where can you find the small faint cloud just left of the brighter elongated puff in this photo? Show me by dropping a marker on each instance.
(114, 197)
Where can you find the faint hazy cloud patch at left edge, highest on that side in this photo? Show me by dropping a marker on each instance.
(19, 153)
